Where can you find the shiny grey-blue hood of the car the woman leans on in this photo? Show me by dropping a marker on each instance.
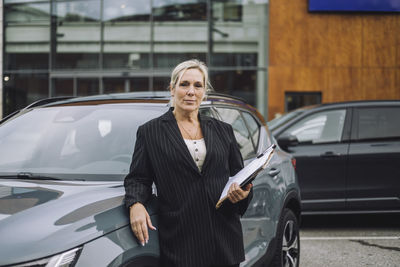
(43, 218)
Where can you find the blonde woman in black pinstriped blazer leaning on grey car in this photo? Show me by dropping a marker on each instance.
(190, 158)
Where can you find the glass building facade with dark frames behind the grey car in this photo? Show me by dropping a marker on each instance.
(85, 47)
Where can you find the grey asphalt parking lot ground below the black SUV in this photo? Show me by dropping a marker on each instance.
(350, 240)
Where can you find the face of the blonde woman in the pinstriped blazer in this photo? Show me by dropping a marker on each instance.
(189, 91)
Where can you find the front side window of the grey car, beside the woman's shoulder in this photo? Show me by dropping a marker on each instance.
(240, 130)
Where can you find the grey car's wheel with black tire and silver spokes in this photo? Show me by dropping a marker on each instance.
(287, 252)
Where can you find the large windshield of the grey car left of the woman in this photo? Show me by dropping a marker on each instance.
(93, 142)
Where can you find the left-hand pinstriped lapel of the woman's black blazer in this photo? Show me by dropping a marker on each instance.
(172, 130)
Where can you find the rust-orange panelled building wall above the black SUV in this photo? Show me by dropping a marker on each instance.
(354, 56)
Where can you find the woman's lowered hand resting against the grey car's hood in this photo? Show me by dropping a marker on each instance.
(140, 222)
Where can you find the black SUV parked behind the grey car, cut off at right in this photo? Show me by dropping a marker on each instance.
(348, 156)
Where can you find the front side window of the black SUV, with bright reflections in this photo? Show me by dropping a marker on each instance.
(322, 127)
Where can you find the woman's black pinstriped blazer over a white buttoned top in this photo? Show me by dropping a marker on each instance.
(191, 231)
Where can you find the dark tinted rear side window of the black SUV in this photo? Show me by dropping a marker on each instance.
(377, 123)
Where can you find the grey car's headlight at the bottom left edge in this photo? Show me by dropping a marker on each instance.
(64, 259)
